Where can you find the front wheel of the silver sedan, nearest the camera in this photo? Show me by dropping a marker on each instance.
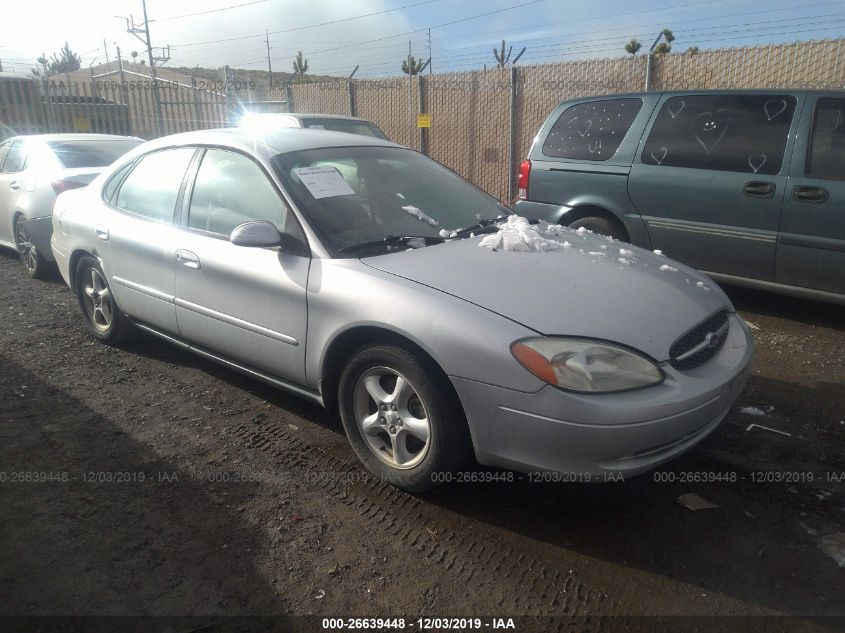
(402, 418)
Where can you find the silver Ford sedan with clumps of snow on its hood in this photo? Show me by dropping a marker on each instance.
(369, 278)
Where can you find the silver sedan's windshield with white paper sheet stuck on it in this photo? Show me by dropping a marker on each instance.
(359, 195)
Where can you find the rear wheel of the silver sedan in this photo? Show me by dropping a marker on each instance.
(100, 313)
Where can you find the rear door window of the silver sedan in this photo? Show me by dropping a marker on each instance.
(152, 188)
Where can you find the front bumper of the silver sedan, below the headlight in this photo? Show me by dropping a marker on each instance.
(622, 433)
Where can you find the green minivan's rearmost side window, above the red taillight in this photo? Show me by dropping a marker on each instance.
(593, 130)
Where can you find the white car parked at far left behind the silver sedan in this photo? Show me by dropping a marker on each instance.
(34, 170)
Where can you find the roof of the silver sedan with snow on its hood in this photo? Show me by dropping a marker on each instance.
(267, 143)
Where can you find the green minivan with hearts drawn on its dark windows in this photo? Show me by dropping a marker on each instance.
(745, 185)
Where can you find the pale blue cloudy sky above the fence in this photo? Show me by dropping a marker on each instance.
(338, 35)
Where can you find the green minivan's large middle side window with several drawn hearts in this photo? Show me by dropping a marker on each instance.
(724, 132)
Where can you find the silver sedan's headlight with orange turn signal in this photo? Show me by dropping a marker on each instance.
(585, 365)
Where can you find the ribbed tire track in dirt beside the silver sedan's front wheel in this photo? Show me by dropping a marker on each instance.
(523, 583)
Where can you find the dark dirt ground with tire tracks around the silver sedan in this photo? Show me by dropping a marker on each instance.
(176, 487)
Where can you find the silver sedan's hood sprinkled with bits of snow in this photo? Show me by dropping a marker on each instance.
(591, 287)
